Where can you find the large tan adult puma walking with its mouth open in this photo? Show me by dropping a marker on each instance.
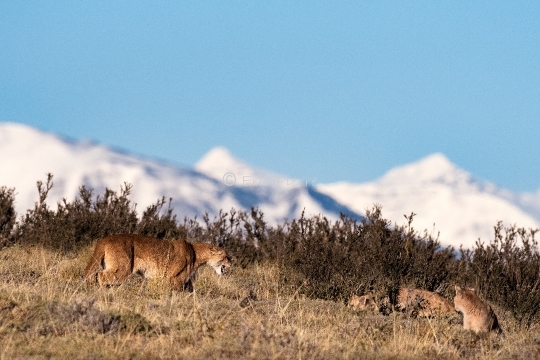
(118, 256)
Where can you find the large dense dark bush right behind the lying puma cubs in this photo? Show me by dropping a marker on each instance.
(368, 256)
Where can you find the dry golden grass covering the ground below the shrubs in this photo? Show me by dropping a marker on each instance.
(47, 311)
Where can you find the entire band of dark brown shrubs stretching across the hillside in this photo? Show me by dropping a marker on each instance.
(315, 257)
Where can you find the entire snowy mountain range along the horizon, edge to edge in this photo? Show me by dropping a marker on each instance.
(444, 197)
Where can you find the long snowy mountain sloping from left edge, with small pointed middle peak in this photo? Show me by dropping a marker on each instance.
(27, 155)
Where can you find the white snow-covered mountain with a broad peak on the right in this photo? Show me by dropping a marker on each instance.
(445, 198)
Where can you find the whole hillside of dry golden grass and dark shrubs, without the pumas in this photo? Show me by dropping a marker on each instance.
(285, 296)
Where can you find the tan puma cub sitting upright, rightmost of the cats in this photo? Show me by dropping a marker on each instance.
(477, 315)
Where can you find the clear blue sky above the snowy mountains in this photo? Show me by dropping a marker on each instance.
(332, 90)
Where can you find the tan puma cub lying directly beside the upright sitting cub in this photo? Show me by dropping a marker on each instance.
(427, 303)
